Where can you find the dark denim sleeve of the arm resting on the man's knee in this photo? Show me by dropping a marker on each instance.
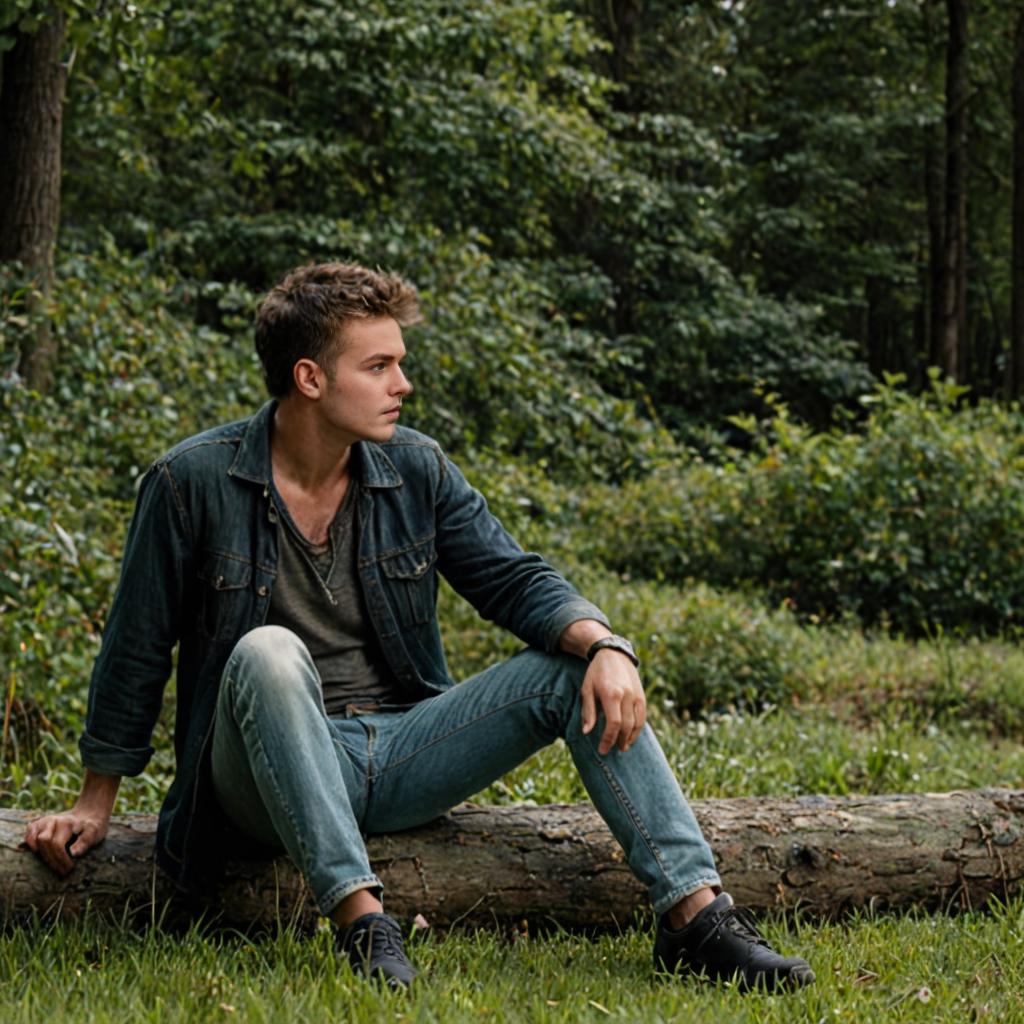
(484, 563)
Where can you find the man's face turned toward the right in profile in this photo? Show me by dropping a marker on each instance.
(365, 386)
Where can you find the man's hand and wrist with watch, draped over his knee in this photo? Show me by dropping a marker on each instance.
(613, 682)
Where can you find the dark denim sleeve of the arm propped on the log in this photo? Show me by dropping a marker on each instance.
(135, 661)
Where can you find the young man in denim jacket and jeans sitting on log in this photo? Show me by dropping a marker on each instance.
(293, 558)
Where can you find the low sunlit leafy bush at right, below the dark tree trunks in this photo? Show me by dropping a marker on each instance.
(914, 521)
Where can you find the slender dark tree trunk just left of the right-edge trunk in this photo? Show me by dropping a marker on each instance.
(950, 340)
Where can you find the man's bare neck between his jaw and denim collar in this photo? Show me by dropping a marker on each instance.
(302, 454)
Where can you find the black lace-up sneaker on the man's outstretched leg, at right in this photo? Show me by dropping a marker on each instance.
(722, 944)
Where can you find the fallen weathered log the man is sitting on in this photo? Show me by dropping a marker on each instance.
(486, 866)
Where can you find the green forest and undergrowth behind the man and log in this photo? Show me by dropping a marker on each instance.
(724, 314)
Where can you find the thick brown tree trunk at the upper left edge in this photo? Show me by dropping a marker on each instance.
(31, 108)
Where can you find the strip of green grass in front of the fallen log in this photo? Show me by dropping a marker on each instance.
(888, 969)
